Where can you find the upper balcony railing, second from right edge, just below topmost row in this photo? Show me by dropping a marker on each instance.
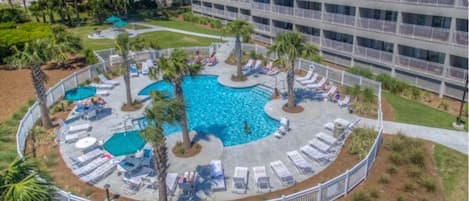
(429, 32)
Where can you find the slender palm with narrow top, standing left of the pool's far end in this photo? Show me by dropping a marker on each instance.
(122, 46)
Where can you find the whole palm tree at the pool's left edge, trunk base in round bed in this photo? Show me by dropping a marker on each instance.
(173, 70)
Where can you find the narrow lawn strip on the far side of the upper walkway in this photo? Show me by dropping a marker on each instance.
(186, 26)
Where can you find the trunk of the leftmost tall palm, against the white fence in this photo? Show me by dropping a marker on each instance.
(38, 79)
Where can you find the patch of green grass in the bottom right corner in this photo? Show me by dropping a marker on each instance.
(452, 168)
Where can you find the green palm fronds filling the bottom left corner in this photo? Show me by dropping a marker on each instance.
(19, 182)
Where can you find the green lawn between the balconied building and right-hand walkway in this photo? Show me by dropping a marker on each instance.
(413, 112)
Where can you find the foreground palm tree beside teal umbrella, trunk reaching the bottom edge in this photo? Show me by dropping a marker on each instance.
(161, 110)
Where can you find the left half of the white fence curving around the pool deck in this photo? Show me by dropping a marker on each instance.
(56, 93)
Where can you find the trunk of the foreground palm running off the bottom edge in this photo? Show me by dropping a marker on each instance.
(161, 164)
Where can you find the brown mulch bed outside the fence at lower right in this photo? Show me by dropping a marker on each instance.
(400, 180)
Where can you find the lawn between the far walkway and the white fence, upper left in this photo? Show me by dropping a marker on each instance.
(165, 39)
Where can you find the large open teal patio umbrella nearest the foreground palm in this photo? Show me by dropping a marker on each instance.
(124, 143)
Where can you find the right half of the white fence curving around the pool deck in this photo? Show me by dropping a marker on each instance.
(345, 182)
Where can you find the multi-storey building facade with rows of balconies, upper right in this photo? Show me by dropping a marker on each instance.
(423, 42)
